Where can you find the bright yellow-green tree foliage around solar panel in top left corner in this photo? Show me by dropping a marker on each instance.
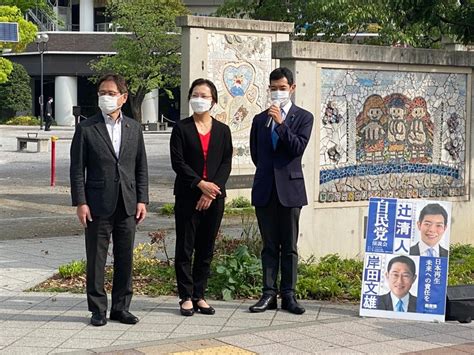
(27, 32)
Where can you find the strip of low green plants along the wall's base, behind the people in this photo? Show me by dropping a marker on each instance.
(236, 271)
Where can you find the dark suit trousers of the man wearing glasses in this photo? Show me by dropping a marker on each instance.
(122, 229)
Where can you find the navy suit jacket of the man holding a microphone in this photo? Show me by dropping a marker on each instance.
(283, 165)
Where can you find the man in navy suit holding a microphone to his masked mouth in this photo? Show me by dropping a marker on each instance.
(278, 139)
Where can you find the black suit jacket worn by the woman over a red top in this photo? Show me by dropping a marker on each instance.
(187, 158)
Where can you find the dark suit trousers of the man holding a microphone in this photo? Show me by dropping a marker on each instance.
(279, 229)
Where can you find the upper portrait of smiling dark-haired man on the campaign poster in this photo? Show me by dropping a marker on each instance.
(431, 237)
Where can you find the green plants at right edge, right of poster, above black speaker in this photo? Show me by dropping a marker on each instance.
(461, 264)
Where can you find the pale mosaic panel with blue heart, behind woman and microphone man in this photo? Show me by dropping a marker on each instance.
(239, 65)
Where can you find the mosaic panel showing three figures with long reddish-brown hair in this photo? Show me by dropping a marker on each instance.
(392, 134)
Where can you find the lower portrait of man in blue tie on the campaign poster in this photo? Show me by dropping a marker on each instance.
(400, 277)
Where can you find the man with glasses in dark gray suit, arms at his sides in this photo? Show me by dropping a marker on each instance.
(109, 186)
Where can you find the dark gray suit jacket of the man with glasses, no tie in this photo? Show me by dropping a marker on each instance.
(97, 174)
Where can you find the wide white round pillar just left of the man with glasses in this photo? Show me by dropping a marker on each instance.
(65, 97)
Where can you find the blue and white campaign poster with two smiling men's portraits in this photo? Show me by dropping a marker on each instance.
(406, 259)
